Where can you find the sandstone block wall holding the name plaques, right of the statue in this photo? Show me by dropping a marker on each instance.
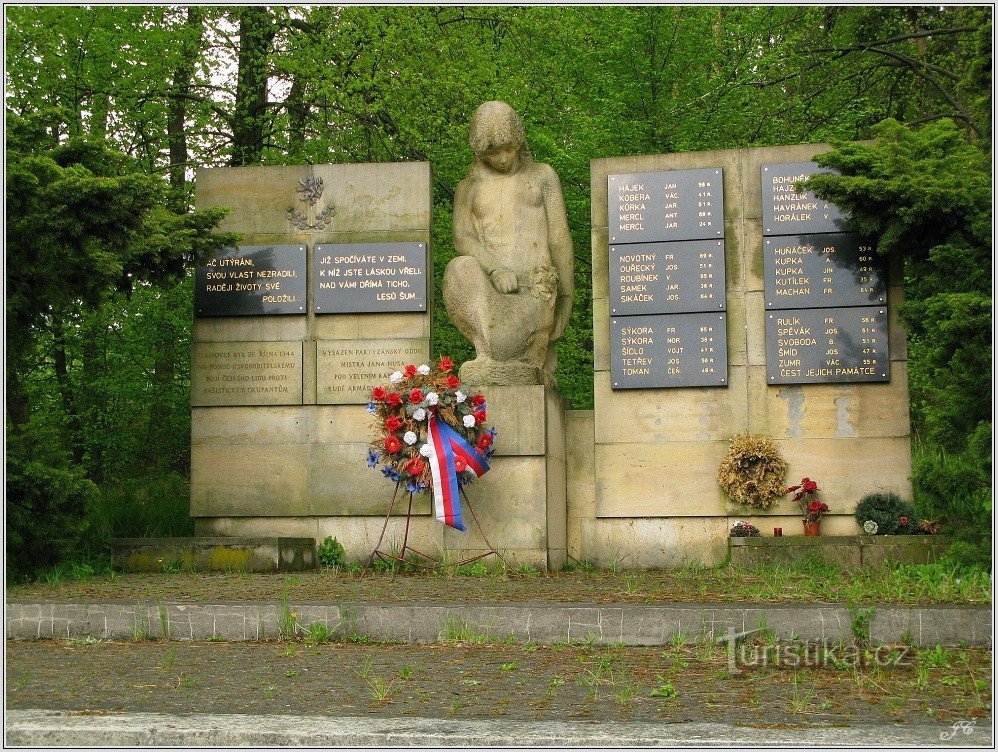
(648, 494)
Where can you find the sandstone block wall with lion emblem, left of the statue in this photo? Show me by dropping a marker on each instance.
(297, 467)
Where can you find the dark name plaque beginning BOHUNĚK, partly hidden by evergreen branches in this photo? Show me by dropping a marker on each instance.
(786, 212)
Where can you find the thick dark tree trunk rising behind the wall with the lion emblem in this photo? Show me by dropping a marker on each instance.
(256, 35)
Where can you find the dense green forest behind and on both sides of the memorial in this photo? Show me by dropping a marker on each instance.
(110, 110)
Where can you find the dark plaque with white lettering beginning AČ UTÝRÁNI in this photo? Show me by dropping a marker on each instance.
(252, 280)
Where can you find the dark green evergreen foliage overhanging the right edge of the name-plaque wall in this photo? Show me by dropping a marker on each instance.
(926, 194)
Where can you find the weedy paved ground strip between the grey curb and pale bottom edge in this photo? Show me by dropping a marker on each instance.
(460, 680)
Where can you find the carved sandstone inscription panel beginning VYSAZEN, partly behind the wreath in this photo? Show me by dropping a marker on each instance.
(346, 370)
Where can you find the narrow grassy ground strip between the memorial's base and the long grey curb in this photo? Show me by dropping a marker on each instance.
(645, 586)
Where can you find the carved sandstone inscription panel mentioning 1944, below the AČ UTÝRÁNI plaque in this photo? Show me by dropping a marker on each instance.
(246, 373)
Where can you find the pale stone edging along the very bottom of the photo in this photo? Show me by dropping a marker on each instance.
(48, 728)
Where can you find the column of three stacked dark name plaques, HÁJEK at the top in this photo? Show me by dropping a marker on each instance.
(666, 272)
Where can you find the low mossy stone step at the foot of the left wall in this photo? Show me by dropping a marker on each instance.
(218, 554)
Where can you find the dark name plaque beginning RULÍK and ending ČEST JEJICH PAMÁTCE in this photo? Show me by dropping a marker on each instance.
(827, 345)
